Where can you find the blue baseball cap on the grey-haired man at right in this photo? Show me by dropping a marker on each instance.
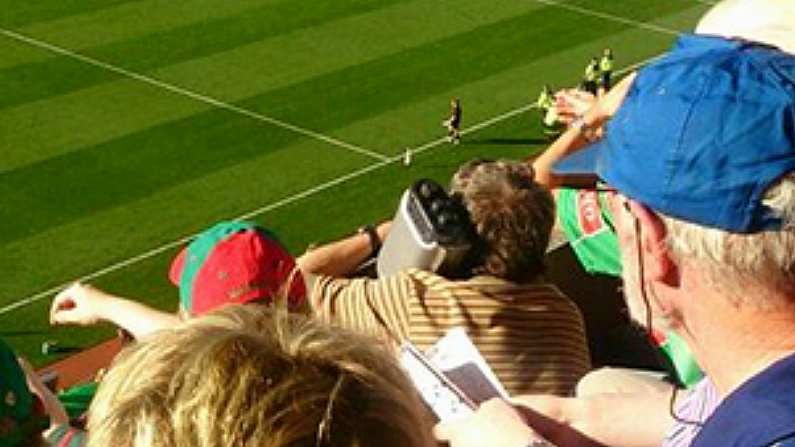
(702, 134)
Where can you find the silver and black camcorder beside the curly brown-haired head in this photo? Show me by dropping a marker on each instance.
(431, 231)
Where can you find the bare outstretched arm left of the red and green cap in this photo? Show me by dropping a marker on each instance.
(84, 305)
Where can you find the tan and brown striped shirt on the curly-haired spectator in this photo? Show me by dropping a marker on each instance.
(531, 335)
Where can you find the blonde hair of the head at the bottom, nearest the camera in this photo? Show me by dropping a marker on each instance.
(248, 376)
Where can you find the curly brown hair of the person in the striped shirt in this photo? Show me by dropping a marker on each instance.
(512, 215)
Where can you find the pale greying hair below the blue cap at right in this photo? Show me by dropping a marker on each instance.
(733, 262)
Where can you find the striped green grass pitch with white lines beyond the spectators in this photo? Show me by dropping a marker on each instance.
(126, 126)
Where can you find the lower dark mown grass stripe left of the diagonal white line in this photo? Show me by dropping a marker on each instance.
(111, 174)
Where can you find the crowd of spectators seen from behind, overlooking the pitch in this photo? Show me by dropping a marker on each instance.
(679, 180)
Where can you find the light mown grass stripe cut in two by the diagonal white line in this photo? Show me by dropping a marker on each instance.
(110, 110)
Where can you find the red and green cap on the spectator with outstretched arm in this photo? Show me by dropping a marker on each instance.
(235, 262)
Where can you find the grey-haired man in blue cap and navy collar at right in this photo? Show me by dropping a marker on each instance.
(702, 156)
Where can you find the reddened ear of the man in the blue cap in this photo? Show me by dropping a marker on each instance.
(659, 264)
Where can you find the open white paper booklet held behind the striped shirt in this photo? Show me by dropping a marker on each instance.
(452, 377)
